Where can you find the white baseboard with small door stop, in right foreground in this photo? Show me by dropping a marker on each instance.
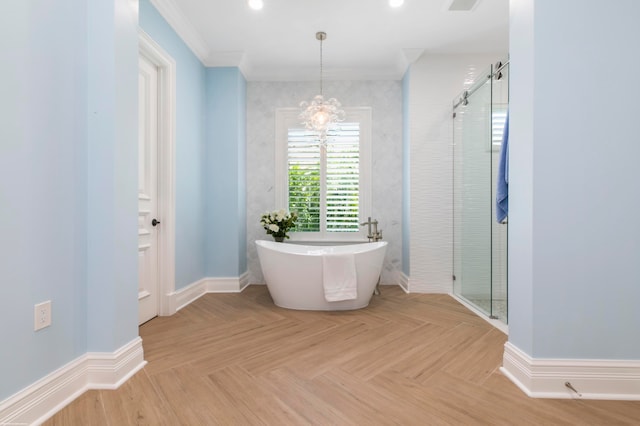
(592, 379)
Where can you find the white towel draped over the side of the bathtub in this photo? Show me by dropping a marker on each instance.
(339, 277)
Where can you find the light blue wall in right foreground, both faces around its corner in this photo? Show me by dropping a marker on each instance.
(575, 204)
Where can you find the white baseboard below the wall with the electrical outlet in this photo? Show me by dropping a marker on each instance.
(41, 400)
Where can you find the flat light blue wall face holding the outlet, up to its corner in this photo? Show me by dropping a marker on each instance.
(42, 190)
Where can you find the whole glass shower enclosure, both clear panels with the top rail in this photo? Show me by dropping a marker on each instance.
(479, 241)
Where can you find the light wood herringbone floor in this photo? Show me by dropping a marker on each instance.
(236, 359)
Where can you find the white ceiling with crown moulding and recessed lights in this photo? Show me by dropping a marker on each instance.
(366, 39)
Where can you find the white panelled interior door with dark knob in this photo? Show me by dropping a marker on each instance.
(148, 221)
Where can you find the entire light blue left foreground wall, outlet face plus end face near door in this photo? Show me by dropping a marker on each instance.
(67, 199)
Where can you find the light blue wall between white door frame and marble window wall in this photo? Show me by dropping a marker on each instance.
(210, 160)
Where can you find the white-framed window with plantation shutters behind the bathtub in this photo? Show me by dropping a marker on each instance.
(329, 187)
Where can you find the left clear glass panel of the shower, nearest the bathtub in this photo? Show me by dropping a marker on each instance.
(472, 167)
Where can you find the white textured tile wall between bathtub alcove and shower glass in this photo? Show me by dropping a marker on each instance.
(435, 80)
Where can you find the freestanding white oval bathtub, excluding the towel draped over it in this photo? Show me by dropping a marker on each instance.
(294, 276)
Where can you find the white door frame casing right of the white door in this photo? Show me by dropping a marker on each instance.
(152, 51)
